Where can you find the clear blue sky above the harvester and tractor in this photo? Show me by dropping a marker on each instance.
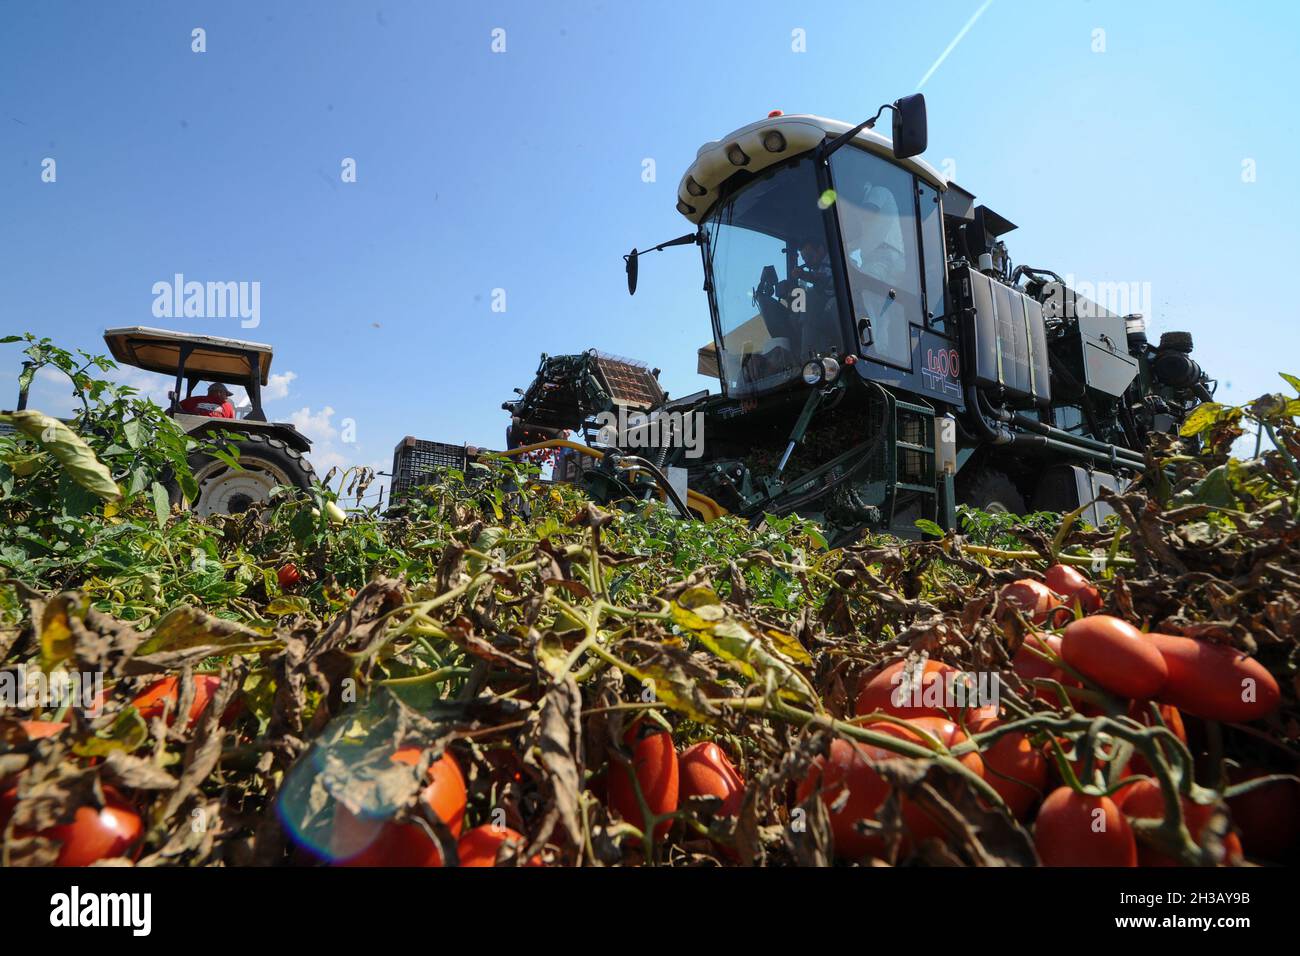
(1158, 153)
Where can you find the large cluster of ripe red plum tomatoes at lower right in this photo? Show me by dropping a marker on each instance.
(1074, 823)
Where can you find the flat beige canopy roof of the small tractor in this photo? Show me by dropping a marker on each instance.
(228, 361)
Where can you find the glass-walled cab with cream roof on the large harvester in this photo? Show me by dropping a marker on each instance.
(812, 253)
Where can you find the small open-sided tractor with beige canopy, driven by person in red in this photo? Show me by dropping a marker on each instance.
(270, 455)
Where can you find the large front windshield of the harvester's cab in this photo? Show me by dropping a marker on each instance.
(773, 284)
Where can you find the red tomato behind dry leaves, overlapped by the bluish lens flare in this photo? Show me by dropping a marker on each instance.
(378, 842)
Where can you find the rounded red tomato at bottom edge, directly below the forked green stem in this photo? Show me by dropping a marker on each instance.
(1080, 830)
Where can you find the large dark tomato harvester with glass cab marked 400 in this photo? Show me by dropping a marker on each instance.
(879, 357)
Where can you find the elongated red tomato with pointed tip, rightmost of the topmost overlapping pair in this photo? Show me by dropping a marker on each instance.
(1215, 681)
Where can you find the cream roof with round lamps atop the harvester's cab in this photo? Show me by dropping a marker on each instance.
(803, 132)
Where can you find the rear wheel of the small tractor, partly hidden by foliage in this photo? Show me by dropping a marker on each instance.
(266, 462)
